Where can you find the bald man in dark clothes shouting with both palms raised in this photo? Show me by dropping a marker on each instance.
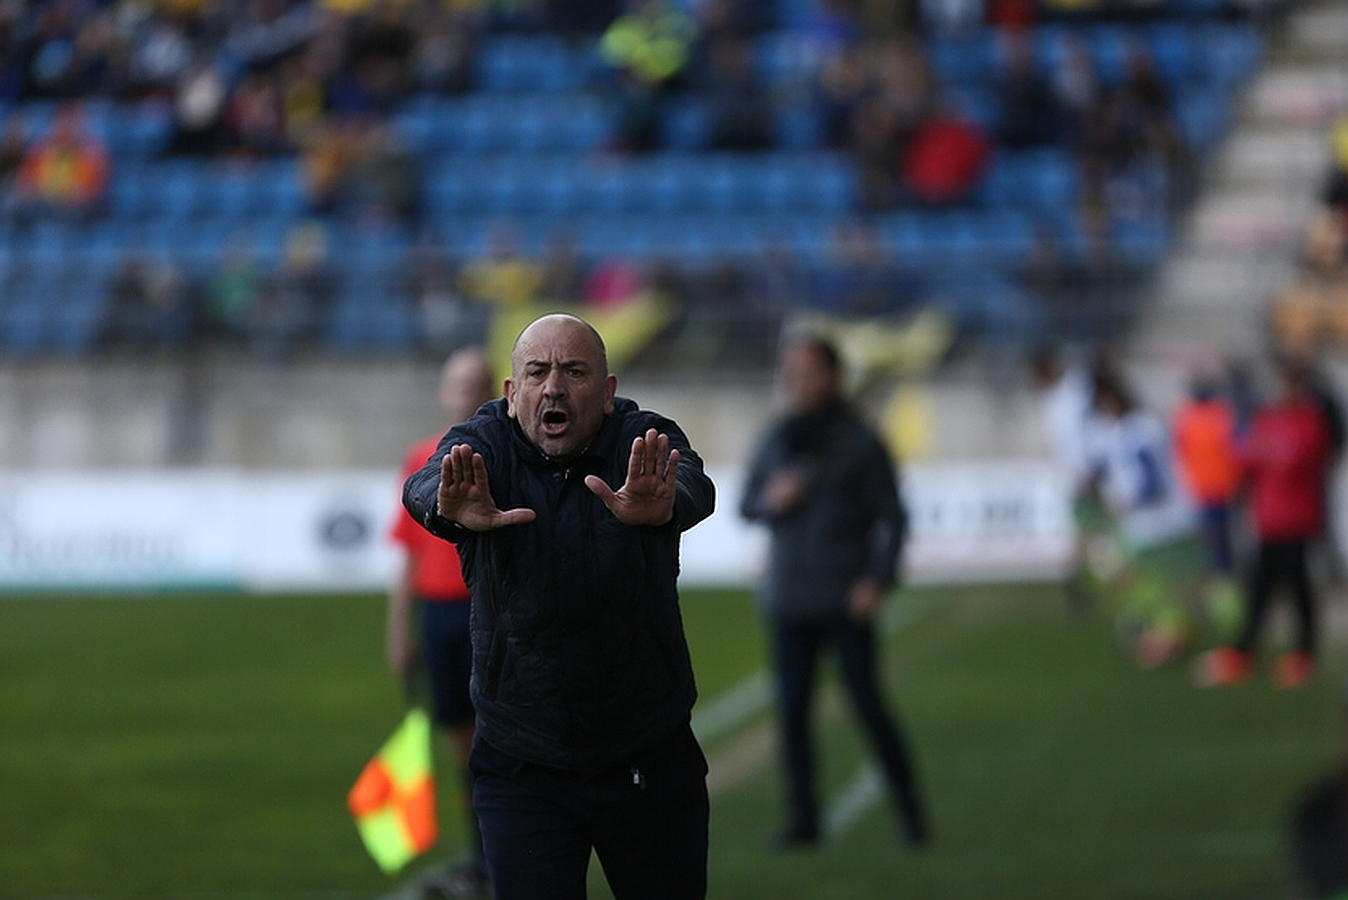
(567, 505)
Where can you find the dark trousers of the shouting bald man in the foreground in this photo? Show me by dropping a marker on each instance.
(646, 821)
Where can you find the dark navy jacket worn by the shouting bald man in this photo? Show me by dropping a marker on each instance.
(579, 650)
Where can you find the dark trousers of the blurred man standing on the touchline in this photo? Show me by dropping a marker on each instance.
(797, 649)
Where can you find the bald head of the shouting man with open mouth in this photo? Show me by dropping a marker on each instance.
(560, 387)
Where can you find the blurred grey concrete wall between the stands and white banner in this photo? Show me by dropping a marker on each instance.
(224, 412)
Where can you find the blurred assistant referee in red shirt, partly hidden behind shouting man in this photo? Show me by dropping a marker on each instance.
(432, 584)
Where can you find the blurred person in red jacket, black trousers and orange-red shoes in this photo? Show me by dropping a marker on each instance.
(1284, 457)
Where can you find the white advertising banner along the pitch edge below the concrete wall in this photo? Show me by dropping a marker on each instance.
(328, 532)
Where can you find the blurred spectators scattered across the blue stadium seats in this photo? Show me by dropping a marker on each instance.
(321, 80)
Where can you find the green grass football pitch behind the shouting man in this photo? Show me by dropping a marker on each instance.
(199, 746)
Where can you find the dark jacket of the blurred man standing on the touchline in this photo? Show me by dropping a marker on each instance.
(850, 525)
